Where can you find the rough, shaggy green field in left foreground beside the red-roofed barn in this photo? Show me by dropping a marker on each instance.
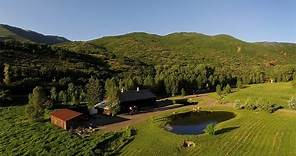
(18, 136)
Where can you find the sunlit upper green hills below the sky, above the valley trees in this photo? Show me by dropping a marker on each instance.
(194, 48)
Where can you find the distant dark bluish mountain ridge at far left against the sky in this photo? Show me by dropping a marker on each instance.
(10, 32)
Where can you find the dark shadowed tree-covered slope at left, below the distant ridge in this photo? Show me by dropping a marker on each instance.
(26, 65)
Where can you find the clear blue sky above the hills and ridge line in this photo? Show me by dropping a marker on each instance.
(249, 20)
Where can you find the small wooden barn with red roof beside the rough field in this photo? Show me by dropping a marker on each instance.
(66, 118)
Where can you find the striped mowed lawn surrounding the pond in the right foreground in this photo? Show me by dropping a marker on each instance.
(251, 133)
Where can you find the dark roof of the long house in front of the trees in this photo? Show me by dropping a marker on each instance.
(134, 95)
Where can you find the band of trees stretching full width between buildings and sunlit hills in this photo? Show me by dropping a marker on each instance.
(65, 74)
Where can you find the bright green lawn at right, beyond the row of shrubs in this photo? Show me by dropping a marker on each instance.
(275, 93)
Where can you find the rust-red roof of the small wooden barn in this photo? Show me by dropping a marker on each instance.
(65, 114)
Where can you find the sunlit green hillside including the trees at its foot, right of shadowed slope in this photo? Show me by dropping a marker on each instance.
(194, 61)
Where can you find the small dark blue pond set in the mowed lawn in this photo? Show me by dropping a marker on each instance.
(195, 122)
